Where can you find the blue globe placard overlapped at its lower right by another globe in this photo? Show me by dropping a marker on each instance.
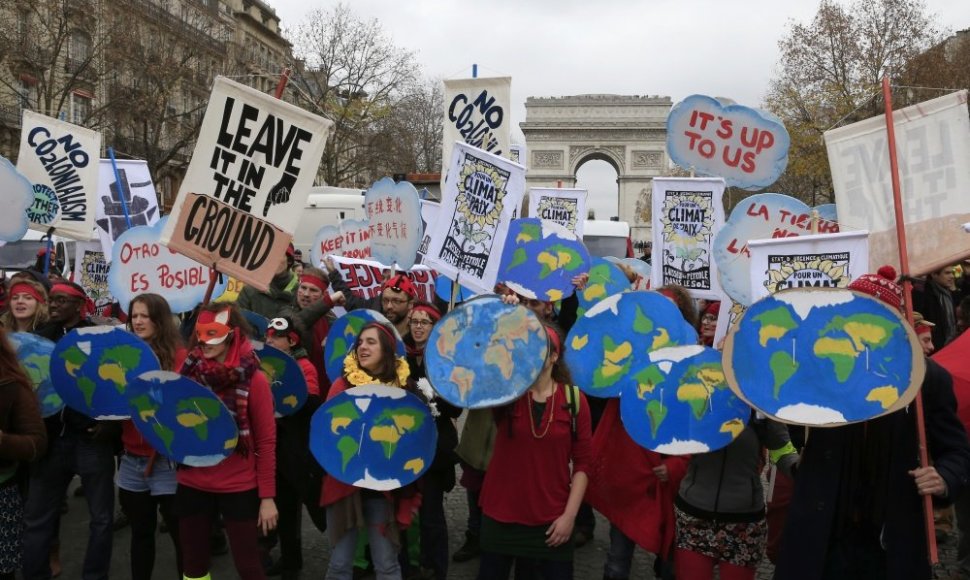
(606, 349)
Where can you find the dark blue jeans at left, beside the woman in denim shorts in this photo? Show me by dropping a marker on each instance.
(49, 477)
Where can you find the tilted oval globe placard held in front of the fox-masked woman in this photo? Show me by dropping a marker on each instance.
(181, 419)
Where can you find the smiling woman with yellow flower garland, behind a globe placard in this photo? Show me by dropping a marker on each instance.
(350, 508)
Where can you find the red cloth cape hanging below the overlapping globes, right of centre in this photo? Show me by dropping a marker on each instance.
(624, 488)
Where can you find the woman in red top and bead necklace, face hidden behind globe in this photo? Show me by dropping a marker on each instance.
(531, 496)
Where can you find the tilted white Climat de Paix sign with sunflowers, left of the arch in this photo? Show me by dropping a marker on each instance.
(480, 195)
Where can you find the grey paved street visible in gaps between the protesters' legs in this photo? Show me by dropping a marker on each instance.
(589, 559)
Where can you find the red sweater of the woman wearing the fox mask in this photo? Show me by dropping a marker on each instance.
(258, 468)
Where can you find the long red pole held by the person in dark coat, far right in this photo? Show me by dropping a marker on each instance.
(907, 295)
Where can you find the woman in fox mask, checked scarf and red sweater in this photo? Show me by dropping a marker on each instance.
(242, 487)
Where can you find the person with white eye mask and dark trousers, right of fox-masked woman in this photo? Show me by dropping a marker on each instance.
(292, 456)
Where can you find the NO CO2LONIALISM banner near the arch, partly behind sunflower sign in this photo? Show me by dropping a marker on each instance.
(477, 112)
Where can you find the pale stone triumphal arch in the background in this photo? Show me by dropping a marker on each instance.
(628, 132)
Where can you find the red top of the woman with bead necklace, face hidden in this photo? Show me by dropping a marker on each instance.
(528, 479)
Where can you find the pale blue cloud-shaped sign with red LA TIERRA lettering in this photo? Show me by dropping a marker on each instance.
(762, 216)
